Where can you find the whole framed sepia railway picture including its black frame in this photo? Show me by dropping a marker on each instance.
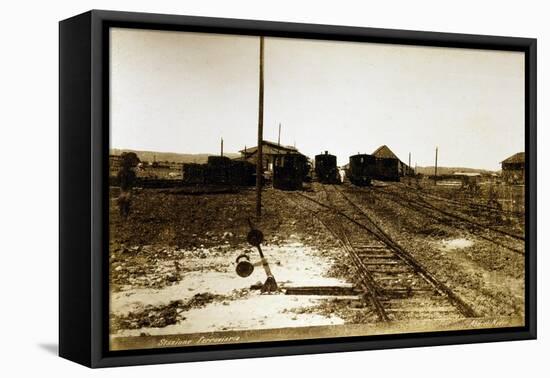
(235, 188)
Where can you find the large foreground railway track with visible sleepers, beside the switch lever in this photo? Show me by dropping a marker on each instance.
(395, 284)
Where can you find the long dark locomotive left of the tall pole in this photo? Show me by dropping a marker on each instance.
(220, 170)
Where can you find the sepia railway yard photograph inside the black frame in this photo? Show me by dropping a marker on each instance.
(271, 189)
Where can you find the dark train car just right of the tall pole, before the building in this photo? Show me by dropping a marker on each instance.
(290, 171)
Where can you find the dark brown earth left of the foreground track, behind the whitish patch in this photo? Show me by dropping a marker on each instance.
(146, 247)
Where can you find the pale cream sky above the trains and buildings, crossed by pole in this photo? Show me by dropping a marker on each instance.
(182, 92)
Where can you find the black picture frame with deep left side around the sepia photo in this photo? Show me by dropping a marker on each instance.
(83, 194)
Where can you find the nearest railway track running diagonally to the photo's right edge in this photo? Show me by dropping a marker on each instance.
(488, 233)
